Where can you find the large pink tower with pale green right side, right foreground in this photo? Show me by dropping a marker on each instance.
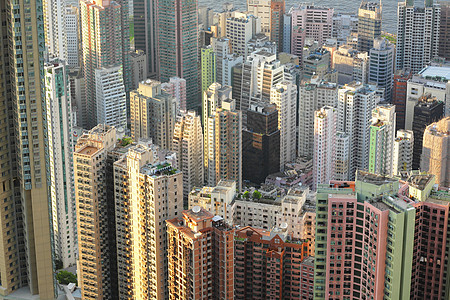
(366, 240)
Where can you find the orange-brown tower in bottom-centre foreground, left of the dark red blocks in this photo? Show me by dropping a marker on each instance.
(208, 274)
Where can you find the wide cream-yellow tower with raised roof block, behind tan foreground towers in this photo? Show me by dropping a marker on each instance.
(153, 114)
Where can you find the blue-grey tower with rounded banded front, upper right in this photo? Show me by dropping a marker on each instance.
(381, 66)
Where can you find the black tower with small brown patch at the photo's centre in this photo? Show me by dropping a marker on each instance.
(260, 143)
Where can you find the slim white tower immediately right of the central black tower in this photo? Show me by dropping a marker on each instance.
(284, 96)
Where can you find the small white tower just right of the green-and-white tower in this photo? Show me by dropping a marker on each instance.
(403, 153)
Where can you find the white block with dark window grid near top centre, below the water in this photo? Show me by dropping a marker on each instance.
(240, 29)
